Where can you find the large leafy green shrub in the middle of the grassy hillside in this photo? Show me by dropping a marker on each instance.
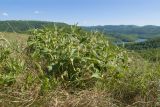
(75, 57)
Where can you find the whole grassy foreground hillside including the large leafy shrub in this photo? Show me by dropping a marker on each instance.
(69, 67)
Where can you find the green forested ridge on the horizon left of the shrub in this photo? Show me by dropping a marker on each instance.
(23, 26)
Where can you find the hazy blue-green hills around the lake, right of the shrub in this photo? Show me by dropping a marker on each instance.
(128, 32)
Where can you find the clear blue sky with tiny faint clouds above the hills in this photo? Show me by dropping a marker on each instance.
(84, 12)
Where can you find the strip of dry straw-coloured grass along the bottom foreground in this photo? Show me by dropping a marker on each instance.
(63, 98)
